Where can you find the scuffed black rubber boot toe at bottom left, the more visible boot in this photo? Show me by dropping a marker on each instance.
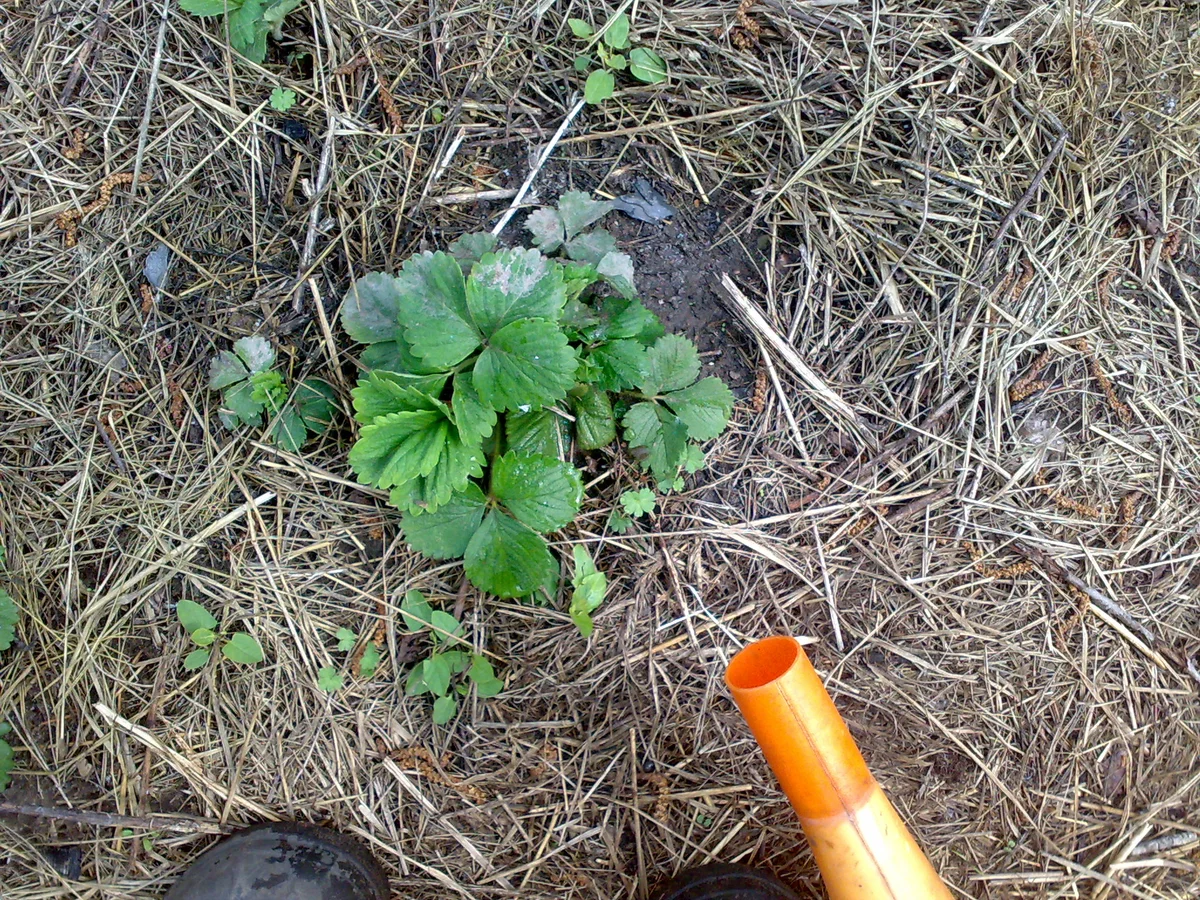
(284, 861)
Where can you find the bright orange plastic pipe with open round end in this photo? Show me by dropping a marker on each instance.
(861, 845)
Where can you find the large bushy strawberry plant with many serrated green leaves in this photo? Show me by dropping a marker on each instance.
(488, 371)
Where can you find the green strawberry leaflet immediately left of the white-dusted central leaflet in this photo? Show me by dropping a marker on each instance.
(434, 301)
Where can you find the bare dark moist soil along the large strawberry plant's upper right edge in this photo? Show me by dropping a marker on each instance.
(677, 265)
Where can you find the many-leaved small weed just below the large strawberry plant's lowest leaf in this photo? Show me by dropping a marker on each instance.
(440, 673)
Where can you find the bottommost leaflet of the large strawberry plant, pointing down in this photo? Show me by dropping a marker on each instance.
(508, 559)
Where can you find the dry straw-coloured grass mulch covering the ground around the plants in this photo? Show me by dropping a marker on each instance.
(1042, 743)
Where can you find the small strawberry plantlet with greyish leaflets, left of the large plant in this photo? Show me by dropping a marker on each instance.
(251, 388)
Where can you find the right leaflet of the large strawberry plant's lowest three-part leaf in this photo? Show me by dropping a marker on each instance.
(543, 493)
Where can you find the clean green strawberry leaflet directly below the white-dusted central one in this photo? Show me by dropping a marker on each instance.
(526, 364)
